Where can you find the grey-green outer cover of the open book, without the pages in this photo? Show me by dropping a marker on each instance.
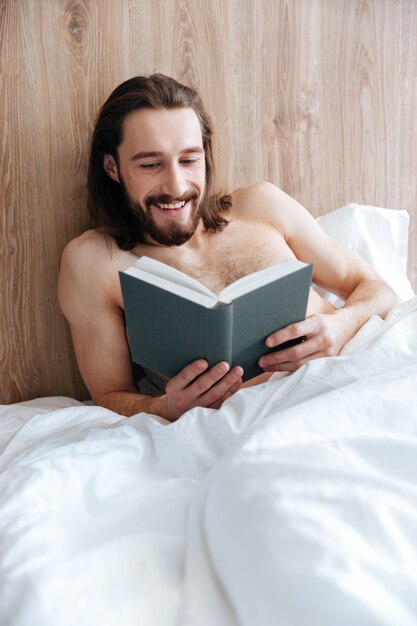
(166, 331)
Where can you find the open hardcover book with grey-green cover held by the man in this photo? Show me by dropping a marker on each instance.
(172, 319)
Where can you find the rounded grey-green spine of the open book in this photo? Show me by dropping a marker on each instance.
(219, 334)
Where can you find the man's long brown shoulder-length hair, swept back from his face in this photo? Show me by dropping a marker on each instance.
(106, 203)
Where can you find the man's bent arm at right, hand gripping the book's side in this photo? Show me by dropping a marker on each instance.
(337, 269)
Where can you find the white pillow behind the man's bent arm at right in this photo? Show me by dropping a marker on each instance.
(379, 235)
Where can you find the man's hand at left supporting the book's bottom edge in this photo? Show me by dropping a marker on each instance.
(191, 387)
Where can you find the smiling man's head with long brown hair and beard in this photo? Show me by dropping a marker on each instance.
(151, 164)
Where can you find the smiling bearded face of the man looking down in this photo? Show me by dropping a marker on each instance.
(162, 172)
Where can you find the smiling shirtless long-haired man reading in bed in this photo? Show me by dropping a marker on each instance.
(150, 179)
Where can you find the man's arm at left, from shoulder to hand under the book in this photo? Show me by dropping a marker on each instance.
(86, 293)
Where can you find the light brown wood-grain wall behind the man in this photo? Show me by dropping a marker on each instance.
(317, 96)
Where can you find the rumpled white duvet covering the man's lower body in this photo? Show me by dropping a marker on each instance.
(294, 505)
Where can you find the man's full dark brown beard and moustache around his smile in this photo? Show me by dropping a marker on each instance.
(174, 233)
